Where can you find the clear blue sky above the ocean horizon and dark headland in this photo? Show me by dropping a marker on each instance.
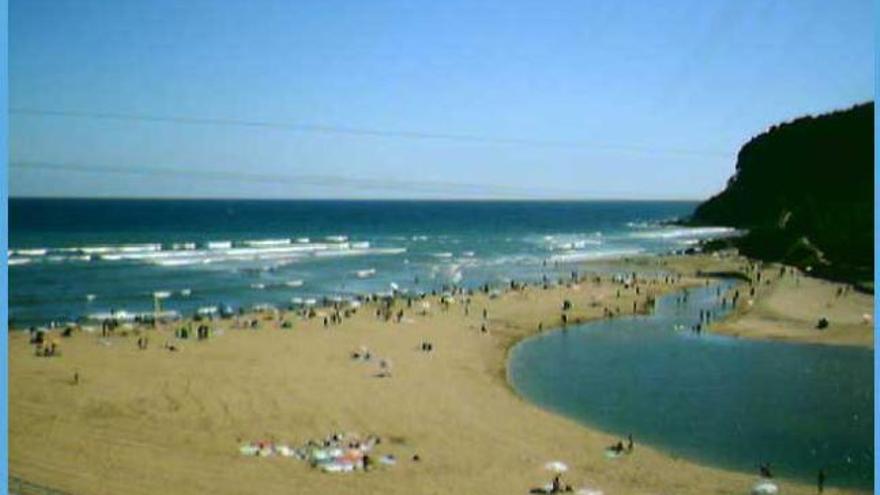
(450, 99)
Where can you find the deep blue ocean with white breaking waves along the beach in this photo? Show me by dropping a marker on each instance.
(80, 259)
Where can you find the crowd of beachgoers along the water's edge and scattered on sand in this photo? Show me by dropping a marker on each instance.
(576, 298)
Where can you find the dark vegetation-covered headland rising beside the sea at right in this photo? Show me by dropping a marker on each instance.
(804, 190)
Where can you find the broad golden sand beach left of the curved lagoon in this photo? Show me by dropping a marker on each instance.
(153, 421)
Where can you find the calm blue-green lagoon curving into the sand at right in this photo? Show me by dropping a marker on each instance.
(714, 399)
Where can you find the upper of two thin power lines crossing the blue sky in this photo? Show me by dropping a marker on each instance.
(360, 132)
